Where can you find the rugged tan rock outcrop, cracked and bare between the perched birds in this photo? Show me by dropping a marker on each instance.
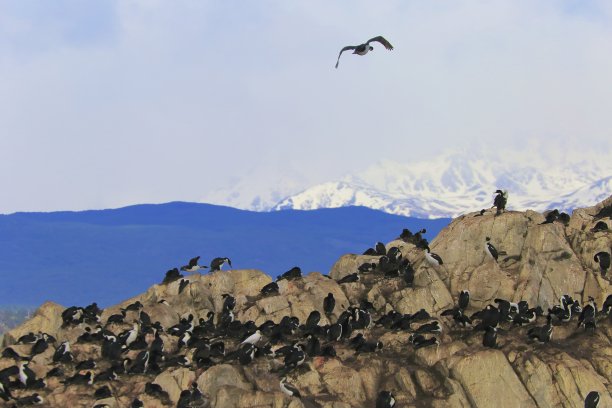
(538, 263)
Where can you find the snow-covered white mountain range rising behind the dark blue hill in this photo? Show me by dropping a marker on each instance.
(454, 184)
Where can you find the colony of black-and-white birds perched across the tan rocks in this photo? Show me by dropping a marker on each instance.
(221, 338)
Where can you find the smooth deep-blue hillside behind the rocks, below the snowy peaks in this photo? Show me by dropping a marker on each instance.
(68, 256)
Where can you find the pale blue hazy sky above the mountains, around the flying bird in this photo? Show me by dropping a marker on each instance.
(104, 103)
